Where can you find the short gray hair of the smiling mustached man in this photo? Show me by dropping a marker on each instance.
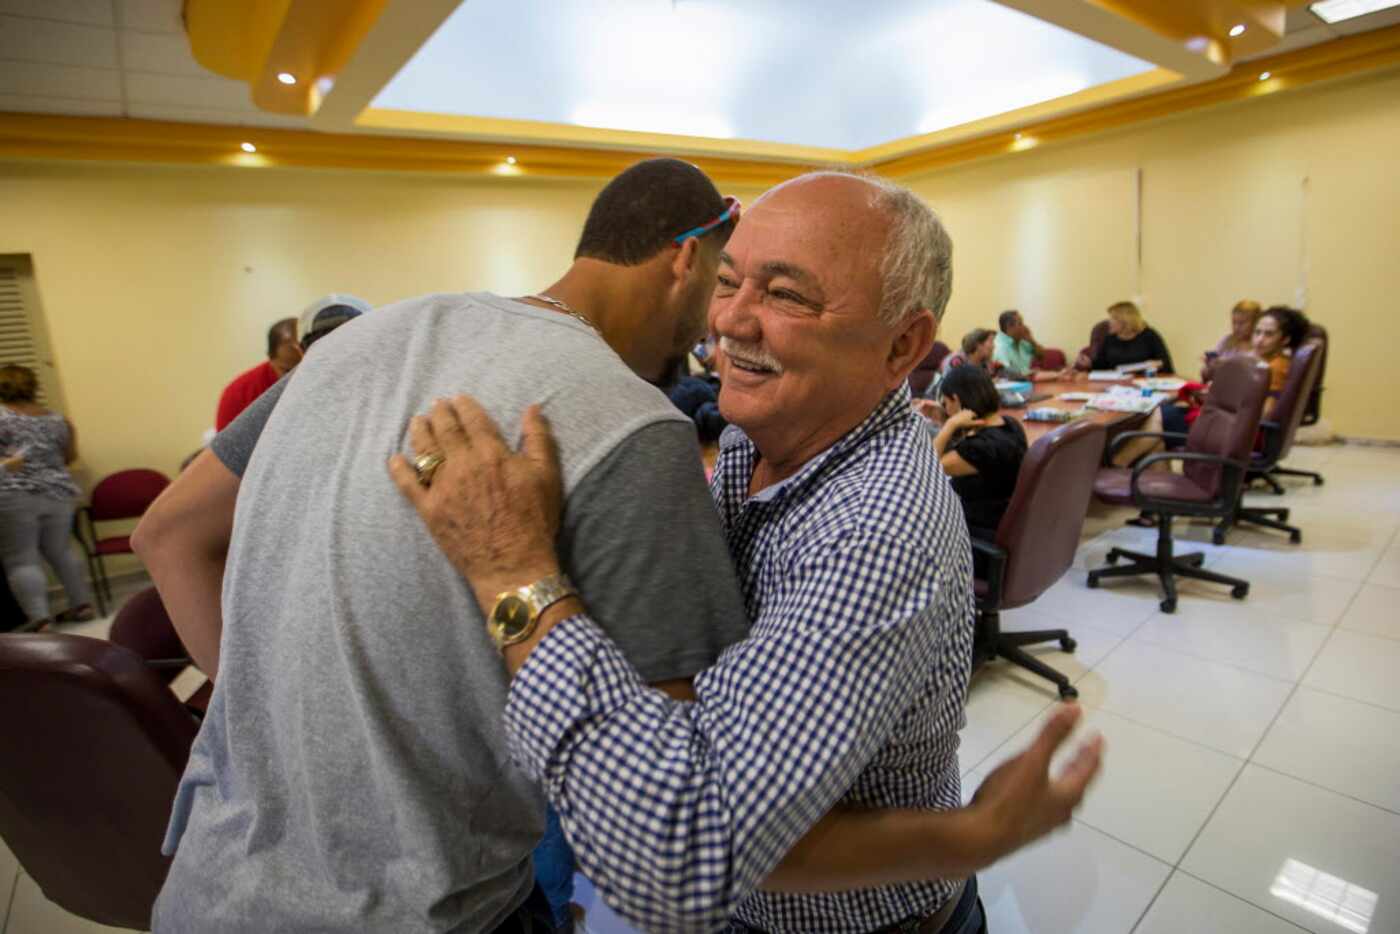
(918, 268)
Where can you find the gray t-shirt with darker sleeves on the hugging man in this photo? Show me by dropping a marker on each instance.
(352, 772)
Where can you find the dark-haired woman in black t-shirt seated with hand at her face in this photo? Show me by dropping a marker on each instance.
(979, 449)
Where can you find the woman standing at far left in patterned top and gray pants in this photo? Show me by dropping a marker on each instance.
(37, 501)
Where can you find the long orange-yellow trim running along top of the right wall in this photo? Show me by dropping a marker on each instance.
(1325, 62)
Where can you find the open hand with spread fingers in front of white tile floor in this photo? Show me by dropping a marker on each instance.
(1023, 800)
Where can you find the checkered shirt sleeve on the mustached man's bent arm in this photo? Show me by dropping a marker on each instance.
(680, 810)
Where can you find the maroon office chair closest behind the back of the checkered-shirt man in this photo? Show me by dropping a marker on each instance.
(1035, 545)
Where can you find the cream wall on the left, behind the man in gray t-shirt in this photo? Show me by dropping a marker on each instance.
(159, 284)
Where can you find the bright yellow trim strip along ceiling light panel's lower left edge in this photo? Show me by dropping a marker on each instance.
(510, 131)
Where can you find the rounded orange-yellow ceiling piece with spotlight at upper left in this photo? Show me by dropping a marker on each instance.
(257, 41)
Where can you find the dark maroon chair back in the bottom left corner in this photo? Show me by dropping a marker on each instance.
(92, 750)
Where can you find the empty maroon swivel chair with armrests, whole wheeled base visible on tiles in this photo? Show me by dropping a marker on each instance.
(1214, 464)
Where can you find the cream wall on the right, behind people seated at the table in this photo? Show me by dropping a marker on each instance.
(1286, 200)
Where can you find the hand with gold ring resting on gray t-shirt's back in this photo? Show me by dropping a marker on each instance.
(493, 512)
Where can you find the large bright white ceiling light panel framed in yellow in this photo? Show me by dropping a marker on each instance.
(848, 78)
